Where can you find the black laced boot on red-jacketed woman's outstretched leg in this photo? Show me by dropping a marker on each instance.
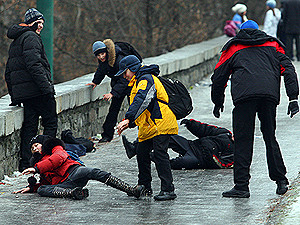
(117, 183)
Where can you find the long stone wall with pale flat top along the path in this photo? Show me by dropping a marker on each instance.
(82, 109)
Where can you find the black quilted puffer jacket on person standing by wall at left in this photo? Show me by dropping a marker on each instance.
(27, 71)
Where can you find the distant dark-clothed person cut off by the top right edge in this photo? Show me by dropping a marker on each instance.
(291, 24)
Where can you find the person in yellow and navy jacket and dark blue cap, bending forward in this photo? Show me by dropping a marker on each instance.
(155, 120)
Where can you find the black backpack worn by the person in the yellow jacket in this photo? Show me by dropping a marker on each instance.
(180, 101)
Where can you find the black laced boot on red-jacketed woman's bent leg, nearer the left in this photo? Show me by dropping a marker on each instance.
(77, 193)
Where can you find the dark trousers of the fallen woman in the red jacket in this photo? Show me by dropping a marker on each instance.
(78, 178)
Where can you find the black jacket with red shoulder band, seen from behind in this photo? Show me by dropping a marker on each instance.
(255, 62)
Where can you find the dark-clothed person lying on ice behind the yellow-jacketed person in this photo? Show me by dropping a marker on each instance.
(213, 148)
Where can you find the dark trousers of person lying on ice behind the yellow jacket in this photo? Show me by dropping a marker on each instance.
(187, 159)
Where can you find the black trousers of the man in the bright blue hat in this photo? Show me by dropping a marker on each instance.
(243, 128)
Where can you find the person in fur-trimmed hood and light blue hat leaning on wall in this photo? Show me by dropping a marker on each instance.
(109, 54)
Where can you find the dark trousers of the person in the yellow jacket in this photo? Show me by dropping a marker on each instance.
(159, 144)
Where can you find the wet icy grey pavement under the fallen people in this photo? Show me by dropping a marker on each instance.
(199, 192)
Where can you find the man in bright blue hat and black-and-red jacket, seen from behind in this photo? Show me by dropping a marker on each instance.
(255, 62)
